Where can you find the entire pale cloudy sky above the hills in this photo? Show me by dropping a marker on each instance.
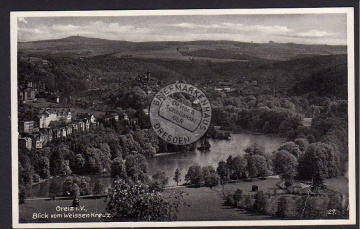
(259, 28)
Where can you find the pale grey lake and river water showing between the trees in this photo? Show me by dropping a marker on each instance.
(220, 150)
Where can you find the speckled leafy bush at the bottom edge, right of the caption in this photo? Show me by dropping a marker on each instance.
(136, 202)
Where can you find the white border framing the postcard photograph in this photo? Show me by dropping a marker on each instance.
(351, 113)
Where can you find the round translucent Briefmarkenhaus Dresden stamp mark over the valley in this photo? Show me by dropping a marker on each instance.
(180, 113)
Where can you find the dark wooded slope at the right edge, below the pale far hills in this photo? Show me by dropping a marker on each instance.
(323, 75)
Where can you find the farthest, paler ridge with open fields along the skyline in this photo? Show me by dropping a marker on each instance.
(216, 51)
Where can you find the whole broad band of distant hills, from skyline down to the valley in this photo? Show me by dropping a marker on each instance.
(77, 64)
